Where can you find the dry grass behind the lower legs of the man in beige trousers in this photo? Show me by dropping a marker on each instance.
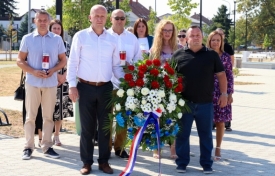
(16, 120)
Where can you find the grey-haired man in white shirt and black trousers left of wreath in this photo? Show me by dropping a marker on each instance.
(94, 58)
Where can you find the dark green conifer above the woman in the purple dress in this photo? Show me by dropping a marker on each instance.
(222, 20)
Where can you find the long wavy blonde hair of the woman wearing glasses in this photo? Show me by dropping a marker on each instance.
(156, 49)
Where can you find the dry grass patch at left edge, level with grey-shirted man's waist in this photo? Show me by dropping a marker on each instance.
(9, 80)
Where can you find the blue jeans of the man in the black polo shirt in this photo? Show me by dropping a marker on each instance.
(202, 113)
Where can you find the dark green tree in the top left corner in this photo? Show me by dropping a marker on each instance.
(7, 7)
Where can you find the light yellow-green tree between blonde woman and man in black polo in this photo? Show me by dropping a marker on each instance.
(181, 9)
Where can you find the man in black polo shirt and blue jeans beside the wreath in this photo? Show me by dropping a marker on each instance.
(198, 65)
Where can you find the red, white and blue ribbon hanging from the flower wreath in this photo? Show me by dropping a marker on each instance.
(137, 138)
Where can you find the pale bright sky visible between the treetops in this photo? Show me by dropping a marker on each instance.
(209, 8)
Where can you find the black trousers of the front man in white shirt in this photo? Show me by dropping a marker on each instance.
(93, 101)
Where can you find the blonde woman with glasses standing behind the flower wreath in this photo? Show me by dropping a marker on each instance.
(164, 45)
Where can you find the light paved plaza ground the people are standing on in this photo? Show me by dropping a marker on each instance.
(249, 150)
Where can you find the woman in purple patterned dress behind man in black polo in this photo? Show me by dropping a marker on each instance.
(221, 115)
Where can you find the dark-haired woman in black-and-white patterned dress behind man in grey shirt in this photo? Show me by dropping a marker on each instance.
(63, 106)
